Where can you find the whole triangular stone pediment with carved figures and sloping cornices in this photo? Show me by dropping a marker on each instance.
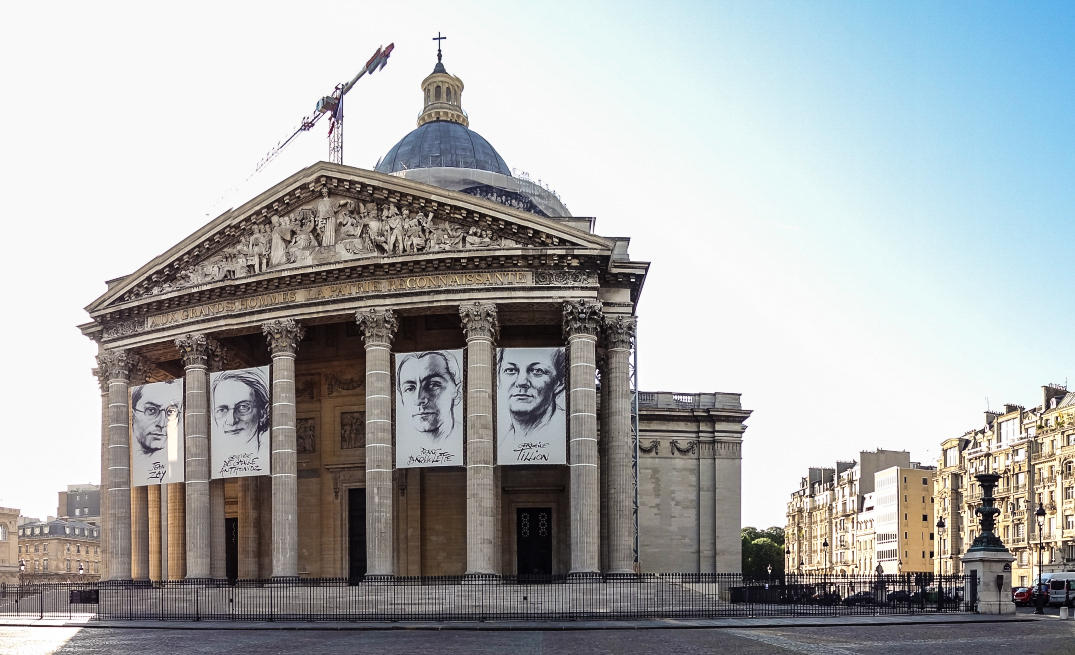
(335, 217)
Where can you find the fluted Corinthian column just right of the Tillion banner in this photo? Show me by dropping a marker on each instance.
(582, 322)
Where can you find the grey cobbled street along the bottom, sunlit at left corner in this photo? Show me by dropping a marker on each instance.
(1041, 636)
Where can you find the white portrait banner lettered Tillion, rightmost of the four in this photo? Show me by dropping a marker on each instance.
(532, 421)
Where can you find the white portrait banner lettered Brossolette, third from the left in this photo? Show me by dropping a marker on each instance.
(429, 409)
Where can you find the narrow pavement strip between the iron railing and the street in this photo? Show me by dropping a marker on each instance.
(769, 622)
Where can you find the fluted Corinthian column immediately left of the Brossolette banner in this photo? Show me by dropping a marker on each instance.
(379, 329)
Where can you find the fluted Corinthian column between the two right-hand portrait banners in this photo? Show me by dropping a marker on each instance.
(480, 325)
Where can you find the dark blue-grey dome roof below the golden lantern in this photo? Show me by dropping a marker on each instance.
(443, 145)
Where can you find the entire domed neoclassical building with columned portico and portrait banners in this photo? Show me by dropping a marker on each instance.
(423, 369)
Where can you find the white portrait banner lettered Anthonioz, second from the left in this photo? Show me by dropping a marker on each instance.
(240, 418)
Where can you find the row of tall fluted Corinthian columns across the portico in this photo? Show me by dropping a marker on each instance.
(195, 539)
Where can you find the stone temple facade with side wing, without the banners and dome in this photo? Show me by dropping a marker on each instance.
(408, 268)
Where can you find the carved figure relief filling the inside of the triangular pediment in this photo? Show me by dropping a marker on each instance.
(332, 230)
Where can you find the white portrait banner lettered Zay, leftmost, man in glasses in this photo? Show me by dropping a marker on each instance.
(157, 434)
